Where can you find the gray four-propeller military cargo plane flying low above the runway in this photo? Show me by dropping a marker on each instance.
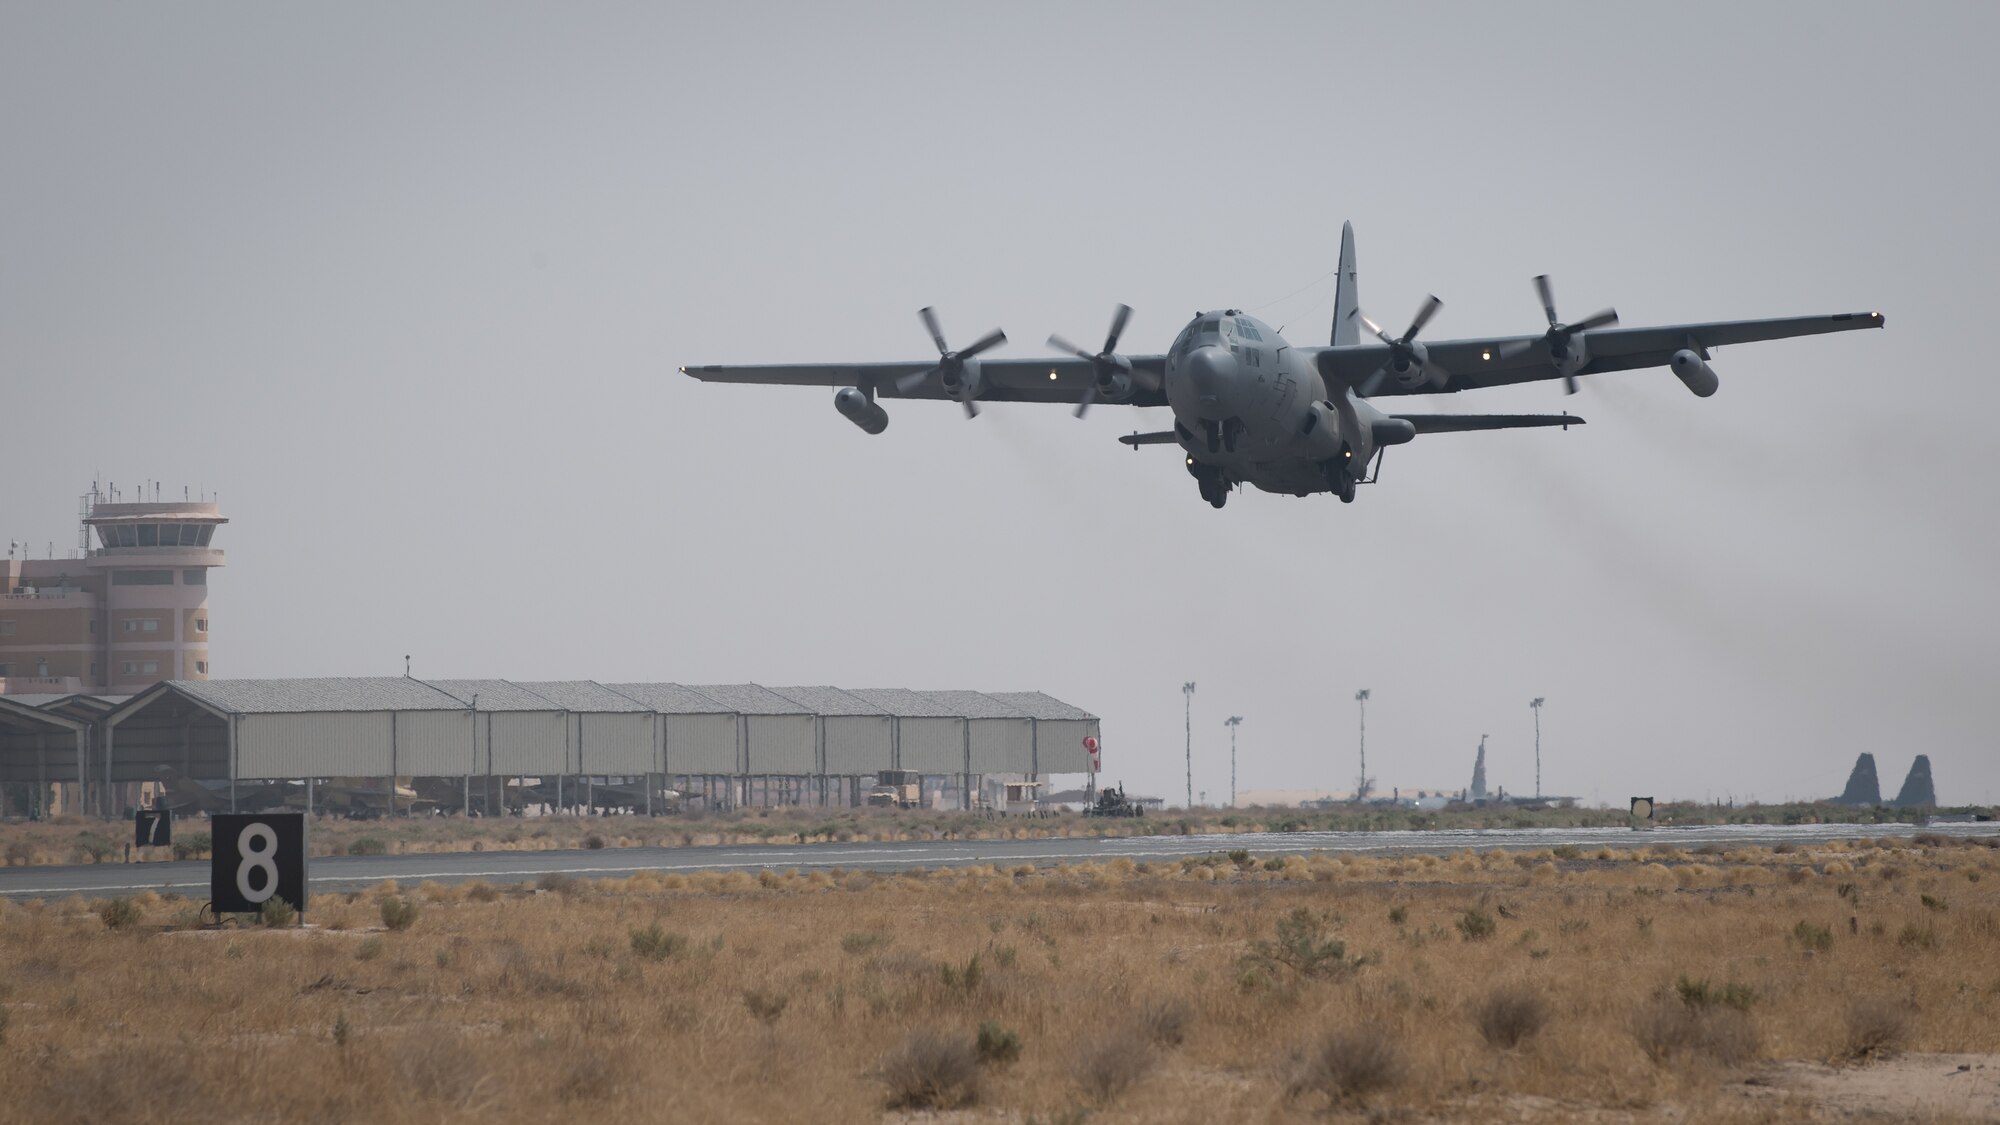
(1253, 409)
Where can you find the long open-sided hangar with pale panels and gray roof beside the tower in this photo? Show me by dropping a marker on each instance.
(727, 744)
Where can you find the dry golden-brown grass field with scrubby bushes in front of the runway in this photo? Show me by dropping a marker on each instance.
(1733, 986)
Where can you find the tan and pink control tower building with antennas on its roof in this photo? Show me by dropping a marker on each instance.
(123, 616)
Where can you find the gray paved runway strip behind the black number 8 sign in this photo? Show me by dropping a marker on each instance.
(357, 872)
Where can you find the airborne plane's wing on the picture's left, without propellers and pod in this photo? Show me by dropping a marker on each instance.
(1055, 379)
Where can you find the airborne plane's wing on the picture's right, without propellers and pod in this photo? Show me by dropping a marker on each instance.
(1477, 363)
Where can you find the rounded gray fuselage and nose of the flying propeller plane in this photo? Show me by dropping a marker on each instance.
(1259, 411)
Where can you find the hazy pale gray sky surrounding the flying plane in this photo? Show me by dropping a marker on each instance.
(409, 287)
